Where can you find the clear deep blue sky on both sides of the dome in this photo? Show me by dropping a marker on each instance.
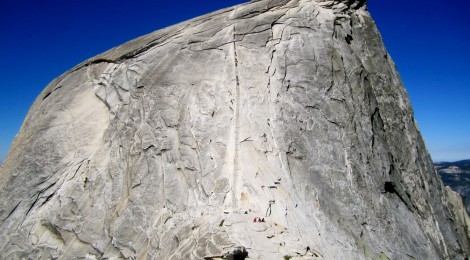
(428, 40)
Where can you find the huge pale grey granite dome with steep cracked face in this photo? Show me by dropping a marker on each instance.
(169, 146)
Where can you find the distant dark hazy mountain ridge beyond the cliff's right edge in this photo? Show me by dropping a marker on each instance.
(457, 176)
